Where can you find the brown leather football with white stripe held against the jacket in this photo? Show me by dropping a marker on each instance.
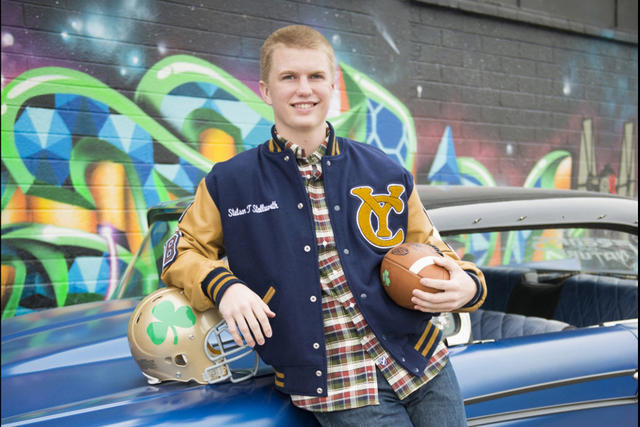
(404, 266)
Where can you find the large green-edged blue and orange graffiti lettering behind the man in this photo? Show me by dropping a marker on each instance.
(82, 163)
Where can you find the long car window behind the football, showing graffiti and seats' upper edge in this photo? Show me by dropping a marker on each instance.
(569, 249)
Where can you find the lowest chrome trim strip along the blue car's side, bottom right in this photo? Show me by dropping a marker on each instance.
(550, 410)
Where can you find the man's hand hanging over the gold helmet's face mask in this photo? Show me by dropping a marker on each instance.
(243, 309)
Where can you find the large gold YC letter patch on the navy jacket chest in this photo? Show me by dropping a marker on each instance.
(380, 206)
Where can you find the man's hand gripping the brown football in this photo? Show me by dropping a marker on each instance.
(456, 292)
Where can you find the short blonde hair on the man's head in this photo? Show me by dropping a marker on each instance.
(295, 36)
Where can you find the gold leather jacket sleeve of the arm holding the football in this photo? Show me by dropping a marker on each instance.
(421, 230)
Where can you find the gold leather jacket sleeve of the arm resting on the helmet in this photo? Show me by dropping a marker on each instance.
(199, 248)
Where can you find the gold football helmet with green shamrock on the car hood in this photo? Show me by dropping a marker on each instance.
(171, 341)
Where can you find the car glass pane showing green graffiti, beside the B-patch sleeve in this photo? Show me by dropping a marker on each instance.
(143, 274)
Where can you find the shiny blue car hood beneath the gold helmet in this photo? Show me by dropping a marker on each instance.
(72, 366)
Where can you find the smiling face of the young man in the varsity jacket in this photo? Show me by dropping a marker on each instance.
(299, 89)
